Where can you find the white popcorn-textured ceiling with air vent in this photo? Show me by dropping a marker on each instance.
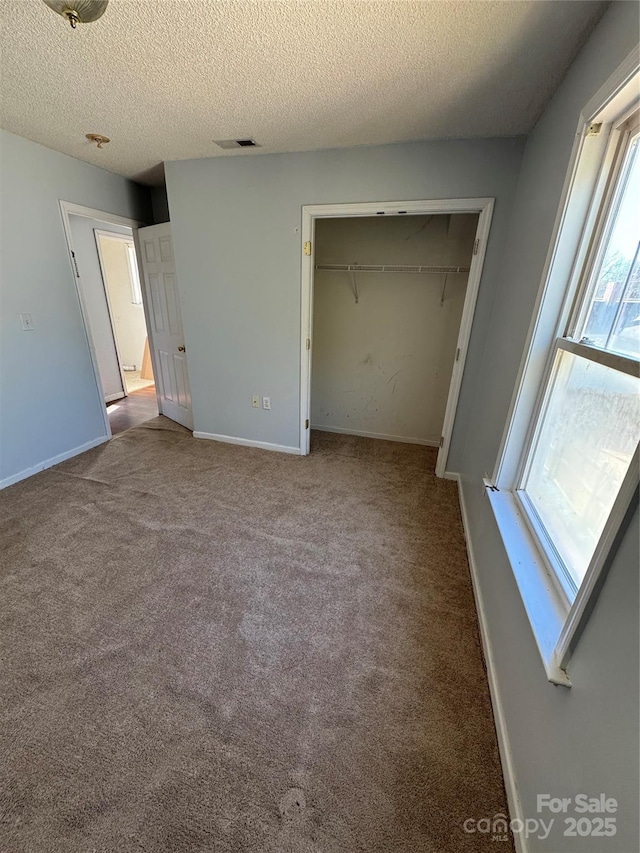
(164, 79)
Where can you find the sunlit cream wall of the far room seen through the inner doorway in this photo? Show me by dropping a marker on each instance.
(128, 317)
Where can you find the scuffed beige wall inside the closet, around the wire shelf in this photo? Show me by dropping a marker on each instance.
(383, 366)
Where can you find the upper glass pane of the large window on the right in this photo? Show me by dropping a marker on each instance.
(613, 317)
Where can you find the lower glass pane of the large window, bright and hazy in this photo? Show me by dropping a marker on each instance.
(589, 433)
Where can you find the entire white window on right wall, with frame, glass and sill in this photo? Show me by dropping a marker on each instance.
(569, 464)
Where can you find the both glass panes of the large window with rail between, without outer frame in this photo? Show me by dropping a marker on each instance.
(588, 424)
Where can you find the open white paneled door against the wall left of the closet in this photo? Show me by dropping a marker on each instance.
(165, 323)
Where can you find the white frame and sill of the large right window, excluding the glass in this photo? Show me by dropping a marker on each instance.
(557, 612)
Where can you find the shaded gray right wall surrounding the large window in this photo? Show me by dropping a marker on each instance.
(584, 739)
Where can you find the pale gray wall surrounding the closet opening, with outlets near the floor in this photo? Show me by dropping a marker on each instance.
(235, 224)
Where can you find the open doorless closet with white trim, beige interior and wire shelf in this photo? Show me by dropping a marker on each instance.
(390, 296)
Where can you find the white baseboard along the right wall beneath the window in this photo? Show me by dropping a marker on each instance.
(506, 759)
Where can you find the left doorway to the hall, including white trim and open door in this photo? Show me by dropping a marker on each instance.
(147, 251)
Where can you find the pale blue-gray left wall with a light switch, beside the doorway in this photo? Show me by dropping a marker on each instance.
(48, 400)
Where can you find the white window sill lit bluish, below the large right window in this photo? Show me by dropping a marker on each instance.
(546, 611)
